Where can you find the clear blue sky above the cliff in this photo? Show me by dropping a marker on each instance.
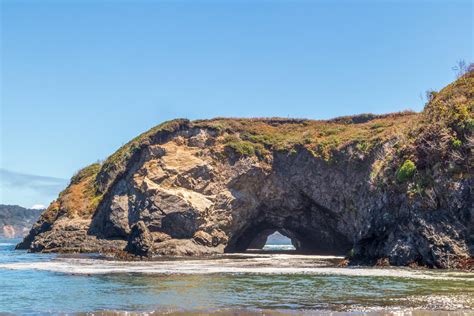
(81, 78)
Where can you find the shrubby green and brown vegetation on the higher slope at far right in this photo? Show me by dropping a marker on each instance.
(437, 150)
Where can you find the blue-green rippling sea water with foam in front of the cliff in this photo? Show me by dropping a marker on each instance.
(252, 283)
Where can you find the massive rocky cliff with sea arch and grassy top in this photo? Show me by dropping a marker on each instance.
(395, 186)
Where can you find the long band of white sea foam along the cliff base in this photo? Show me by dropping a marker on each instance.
(250, 263)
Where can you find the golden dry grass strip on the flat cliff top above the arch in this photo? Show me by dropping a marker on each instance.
(256, 136)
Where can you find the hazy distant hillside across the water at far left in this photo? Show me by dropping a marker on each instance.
(15, 221)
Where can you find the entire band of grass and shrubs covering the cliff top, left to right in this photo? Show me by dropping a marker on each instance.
(440, 134)
